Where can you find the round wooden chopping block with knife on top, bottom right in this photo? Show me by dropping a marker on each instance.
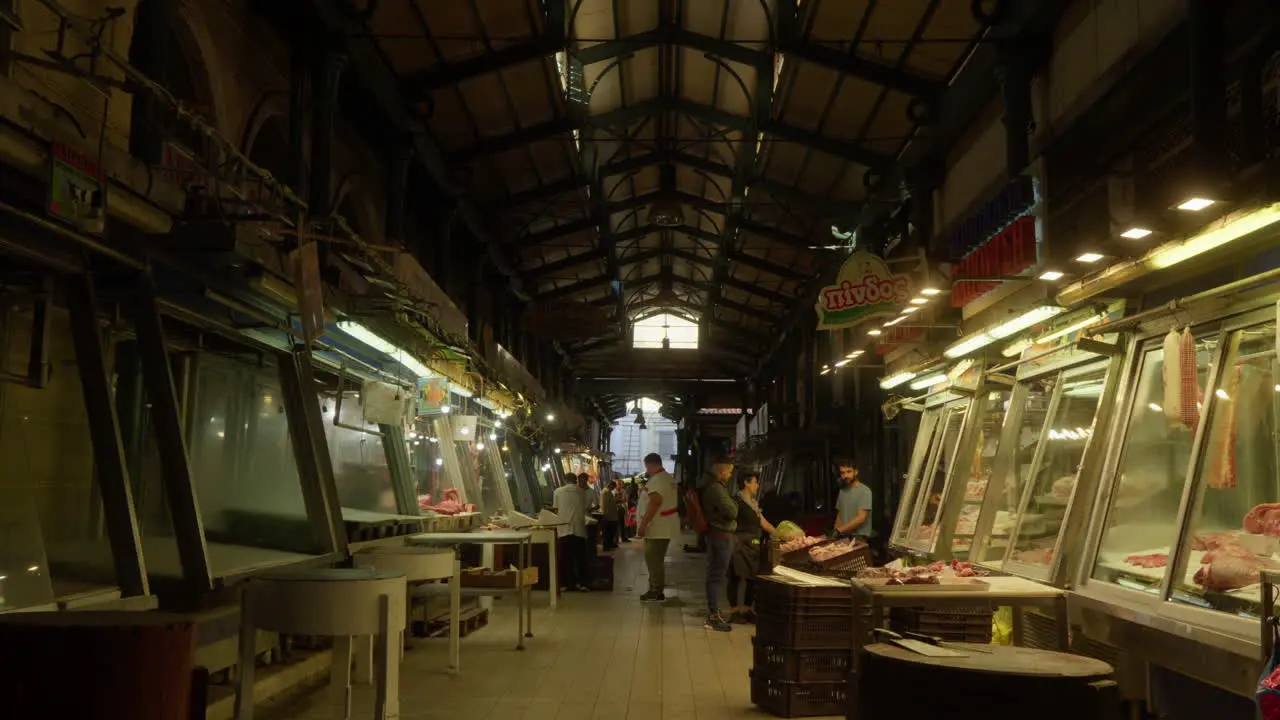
(990, 682)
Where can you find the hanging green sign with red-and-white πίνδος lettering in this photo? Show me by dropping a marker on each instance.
(865, 289)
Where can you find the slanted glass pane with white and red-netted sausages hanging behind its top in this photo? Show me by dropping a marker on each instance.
(1155, 450)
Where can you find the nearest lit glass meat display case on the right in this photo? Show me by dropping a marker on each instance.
(1187, 512)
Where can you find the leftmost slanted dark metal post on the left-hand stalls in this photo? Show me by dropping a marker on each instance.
(109, 462)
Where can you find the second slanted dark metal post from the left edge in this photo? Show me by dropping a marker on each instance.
(175, 462)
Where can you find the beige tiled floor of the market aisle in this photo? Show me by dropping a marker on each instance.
(598, 655)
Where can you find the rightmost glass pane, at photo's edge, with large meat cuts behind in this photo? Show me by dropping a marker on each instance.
(1233, 527)
